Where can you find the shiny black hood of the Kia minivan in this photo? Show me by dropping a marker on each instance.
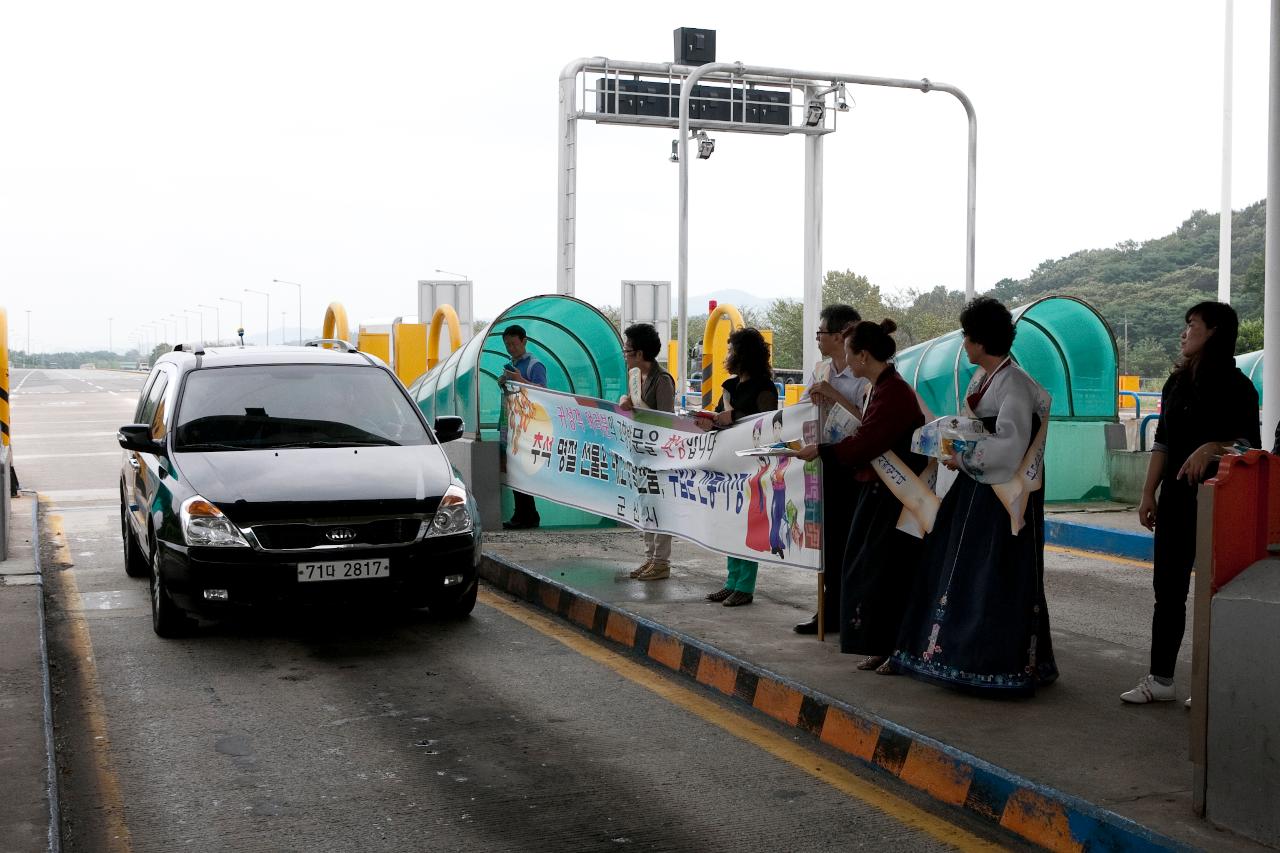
(318, 482)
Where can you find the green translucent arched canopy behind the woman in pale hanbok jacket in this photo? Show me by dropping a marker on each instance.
(1068, 349)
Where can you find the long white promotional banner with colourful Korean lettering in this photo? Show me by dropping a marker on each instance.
(664, 473)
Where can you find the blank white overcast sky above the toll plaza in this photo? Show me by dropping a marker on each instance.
(161, 156)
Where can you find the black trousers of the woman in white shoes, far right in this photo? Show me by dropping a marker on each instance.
(1172, 576)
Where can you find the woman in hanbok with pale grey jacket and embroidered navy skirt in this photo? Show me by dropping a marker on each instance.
(979, 619)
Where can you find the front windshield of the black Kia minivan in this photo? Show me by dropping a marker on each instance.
(272, 407)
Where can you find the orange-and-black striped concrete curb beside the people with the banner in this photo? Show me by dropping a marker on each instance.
(1041, 815)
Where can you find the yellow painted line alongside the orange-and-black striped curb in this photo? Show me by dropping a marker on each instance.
(748, 731)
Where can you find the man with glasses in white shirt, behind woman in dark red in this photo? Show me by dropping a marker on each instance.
(834, 385)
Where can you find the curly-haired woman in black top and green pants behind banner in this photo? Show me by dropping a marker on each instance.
(748, 393)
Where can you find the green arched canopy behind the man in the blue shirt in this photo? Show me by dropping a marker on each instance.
(580, 349)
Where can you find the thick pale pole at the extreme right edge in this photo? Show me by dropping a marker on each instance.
(1272, 288)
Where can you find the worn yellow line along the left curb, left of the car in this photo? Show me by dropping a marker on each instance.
(111, 801)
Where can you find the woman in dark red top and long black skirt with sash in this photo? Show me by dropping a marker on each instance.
(880, 559)
